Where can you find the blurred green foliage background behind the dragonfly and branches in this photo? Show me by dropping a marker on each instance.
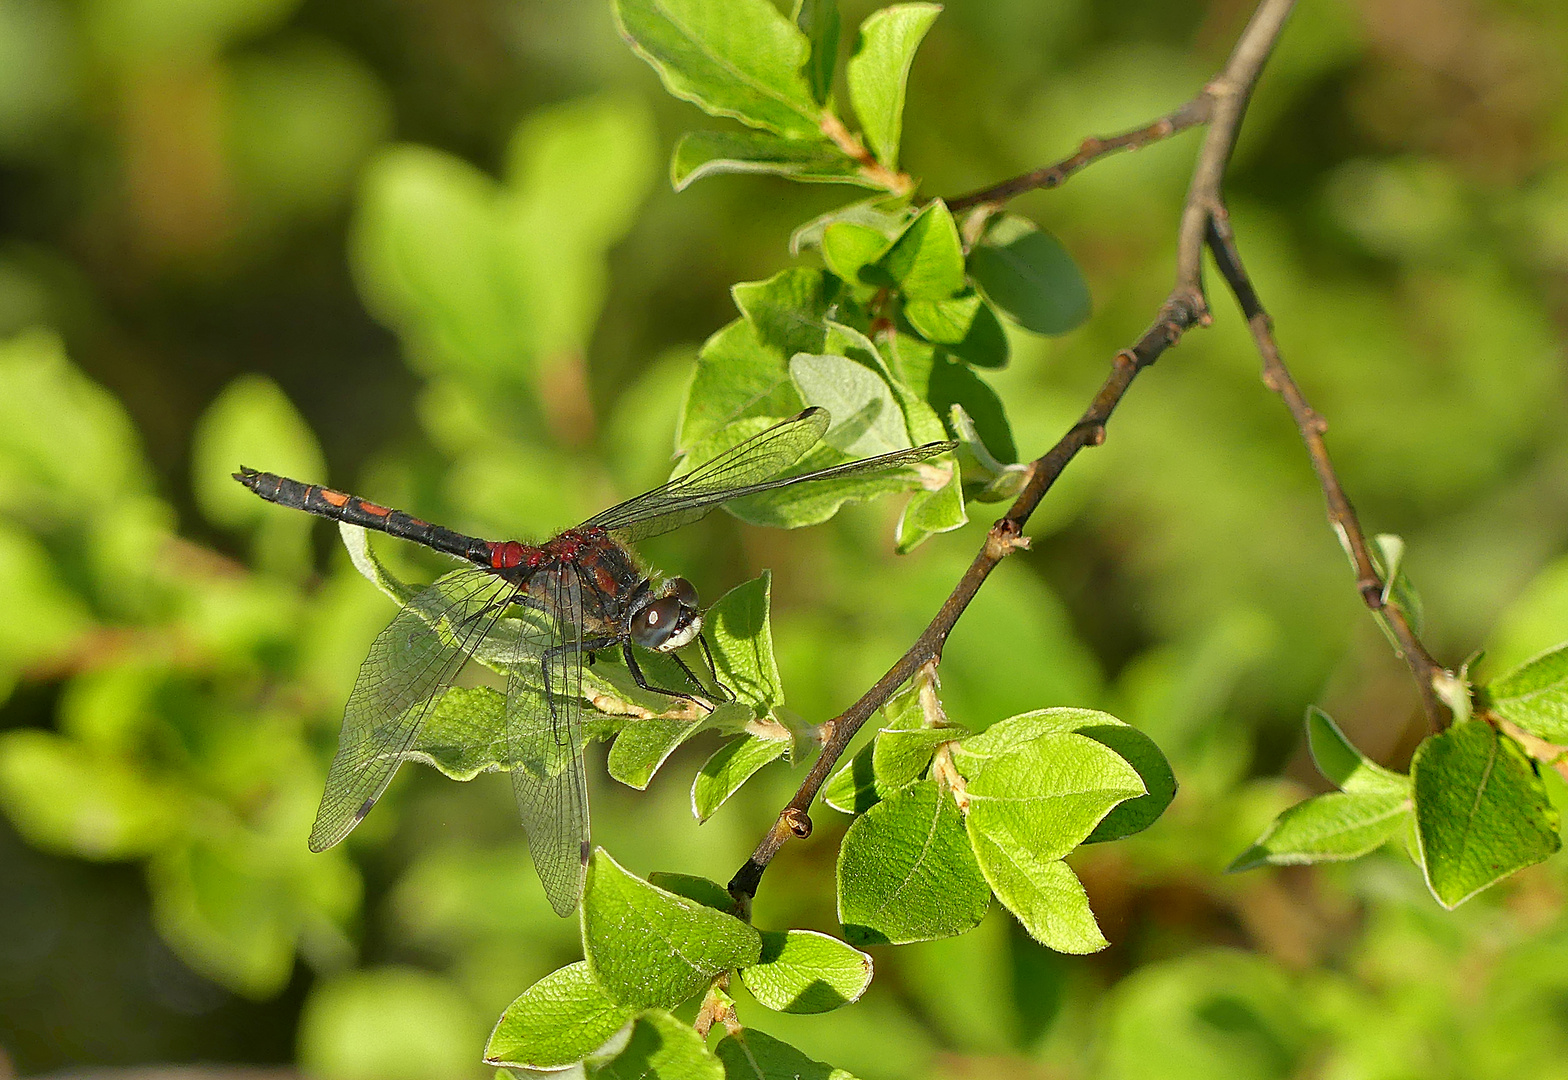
(426, 250)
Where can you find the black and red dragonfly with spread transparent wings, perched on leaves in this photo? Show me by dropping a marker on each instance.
(573, 596)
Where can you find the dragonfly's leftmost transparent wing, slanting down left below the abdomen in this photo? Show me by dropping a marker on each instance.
(410, 664)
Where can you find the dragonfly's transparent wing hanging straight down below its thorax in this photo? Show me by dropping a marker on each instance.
(545, 700)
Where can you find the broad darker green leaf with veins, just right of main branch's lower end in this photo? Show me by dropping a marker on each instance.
(907, 872)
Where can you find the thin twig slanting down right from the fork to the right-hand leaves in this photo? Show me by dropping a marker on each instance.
(1341, 515)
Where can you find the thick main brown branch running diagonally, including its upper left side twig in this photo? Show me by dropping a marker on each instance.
(1225, 101)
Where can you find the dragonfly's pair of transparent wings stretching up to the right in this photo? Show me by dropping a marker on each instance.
(746, 471)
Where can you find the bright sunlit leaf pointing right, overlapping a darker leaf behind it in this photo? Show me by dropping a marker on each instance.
(1047, 796)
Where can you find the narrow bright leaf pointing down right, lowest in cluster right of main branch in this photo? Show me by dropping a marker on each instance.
(1044, 894)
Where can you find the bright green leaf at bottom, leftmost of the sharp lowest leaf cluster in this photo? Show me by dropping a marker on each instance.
(559, 1021)
